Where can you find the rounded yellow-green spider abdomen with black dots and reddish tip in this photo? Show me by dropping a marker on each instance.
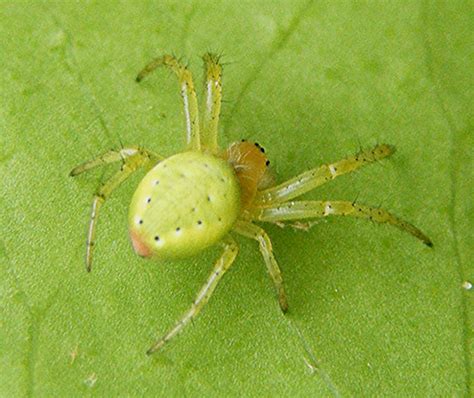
(184, 204)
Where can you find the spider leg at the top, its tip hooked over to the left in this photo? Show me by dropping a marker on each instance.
(185, 79)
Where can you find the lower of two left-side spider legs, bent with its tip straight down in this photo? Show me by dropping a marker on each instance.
(131, 164)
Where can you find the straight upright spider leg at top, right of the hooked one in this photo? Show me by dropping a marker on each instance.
(213, 98)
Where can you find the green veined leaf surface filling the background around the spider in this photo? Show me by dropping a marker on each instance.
(372, 311)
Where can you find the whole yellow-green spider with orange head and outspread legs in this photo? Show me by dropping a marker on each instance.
(204, 194)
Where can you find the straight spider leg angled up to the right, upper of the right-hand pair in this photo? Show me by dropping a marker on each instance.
(313, 178)
